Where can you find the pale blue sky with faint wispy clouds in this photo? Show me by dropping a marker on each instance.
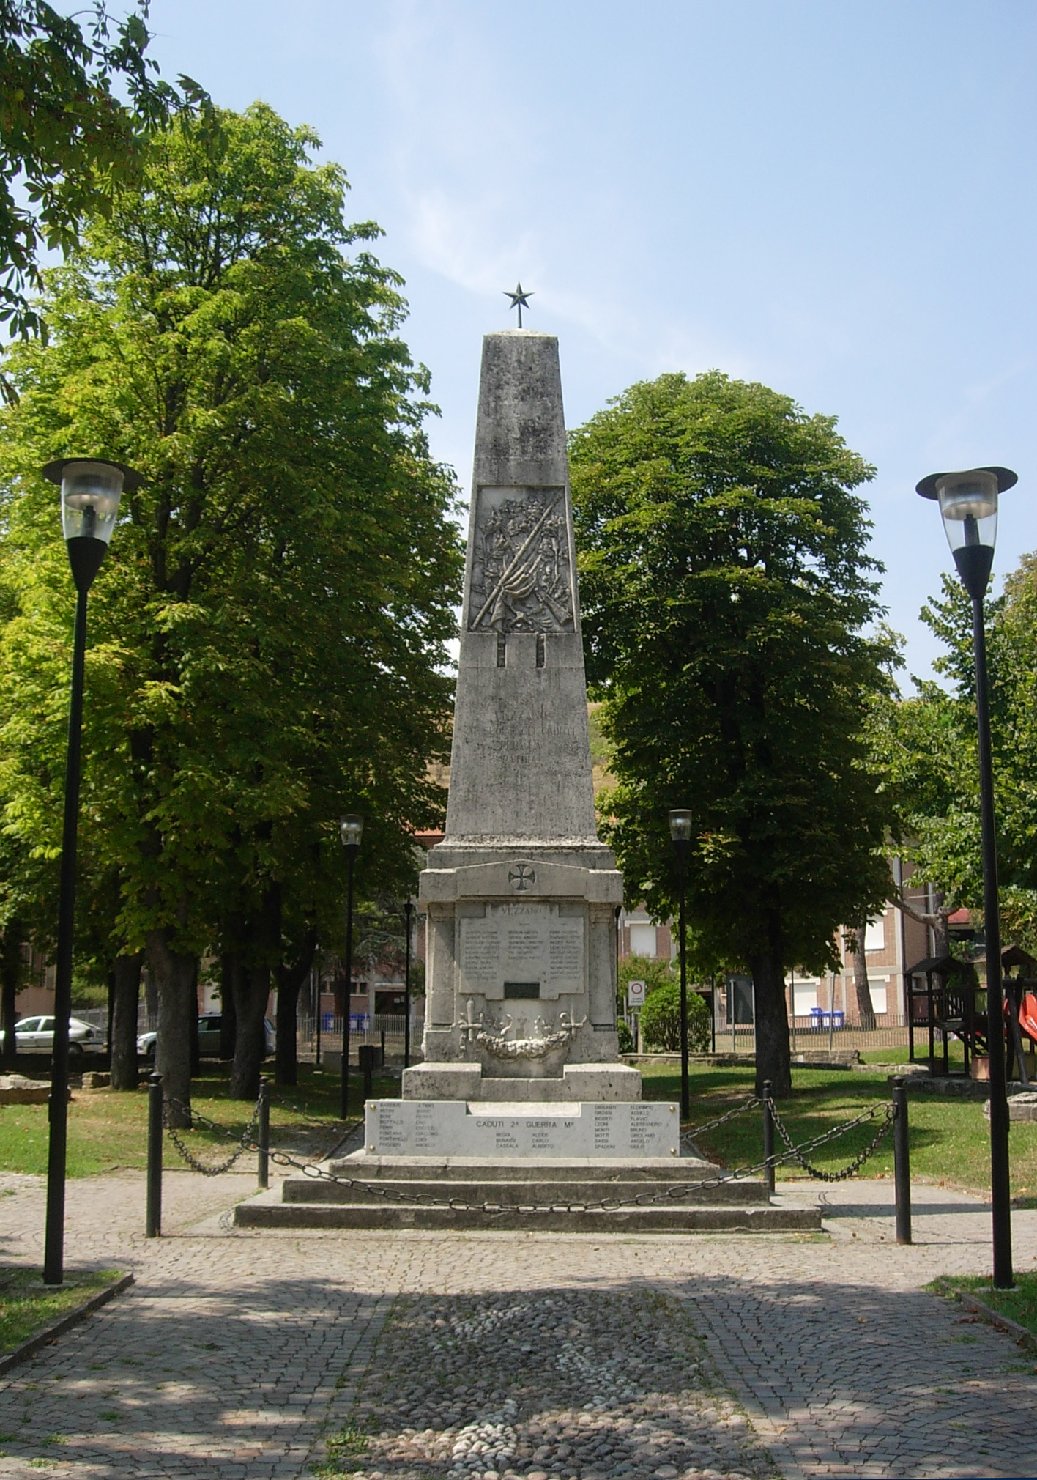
(835, 198)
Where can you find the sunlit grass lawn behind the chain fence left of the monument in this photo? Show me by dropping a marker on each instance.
(109, 1130)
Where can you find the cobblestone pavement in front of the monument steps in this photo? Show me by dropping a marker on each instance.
(527, 1356)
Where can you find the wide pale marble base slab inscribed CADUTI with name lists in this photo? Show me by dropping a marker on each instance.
(629, 1130)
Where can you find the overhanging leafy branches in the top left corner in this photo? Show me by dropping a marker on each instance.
(66, 135)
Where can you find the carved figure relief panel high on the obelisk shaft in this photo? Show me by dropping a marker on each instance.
(521, 572)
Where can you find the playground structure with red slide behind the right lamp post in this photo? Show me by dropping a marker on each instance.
(950, 1006)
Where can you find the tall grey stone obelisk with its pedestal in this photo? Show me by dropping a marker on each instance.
(521, 898)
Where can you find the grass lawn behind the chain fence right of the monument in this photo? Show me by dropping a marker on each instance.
(950, 1139)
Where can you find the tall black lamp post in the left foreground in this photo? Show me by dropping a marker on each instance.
(89, 504)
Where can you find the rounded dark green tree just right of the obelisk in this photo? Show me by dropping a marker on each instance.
(727, 590)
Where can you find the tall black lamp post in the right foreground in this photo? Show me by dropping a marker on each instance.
(968, 504)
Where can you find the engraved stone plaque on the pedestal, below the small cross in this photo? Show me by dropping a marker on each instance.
(521, 943)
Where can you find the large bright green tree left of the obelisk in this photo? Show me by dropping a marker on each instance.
(268, 633)
